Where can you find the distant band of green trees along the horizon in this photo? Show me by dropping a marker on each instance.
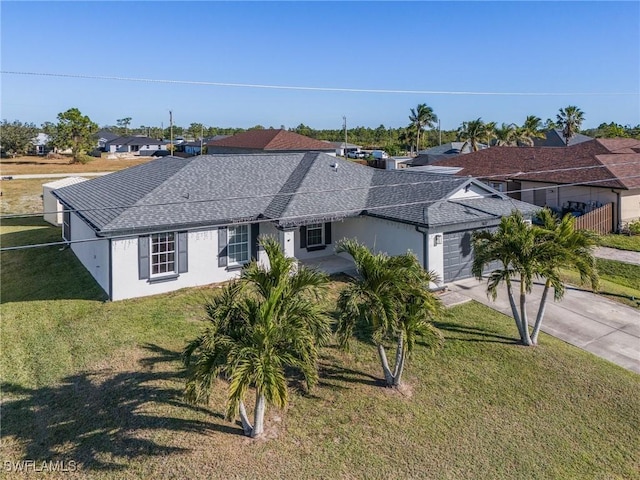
(77, 132)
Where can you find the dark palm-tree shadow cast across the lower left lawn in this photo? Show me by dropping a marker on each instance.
(102, 421)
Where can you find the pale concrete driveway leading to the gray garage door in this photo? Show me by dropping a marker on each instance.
(591, 322)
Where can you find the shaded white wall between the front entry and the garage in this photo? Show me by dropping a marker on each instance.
(381, 235)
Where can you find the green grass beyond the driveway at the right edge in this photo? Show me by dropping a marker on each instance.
(618, 281)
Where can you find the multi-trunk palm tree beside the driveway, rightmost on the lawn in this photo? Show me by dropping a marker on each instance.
(529, 252)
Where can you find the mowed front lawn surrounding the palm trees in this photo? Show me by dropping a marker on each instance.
(101, 383)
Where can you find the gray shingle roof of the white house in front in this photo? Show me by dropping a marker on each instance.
(292, 189)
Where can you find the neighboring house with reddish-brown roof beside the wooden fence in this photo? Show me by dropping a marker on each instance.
(581, 177)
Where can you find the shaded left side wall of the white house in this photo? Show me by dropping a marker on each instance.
(94, 255)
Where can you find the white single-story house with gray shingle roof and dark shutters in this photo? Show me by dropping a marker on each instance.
(184, 222)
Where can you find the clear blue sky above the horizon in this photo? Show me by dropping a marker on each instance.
(531, 47)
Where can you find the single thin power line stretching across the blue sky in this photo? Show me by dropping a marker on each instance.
(316, 89)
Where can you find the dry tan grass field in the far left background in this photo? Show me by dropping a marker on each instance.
(44, 165)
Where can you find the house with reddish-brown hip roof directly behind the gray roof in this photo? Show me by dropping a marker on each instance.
(269, 140)
